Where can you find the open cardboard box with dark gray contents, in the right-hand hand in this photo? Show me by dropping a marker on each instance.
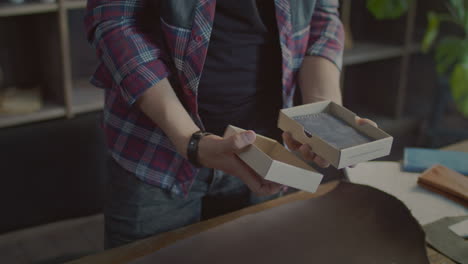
(327, 123)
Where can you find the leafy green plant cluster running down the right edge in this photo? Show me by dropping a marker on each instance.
(451, 50)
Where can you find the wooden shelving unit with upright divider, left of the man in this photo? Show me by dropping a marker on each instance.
(77, 95)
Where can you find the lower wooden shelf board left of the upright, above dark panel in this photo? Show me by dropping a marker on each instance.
(48, 111)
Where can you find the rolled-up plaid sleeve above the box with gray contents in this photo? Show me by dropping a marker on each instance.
(326, 32)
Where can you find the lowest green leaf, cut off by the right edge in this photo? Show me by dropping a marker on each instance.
(459, 87)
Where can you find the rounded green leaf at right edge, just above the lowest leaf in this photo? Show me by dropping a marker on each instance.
(450, 51)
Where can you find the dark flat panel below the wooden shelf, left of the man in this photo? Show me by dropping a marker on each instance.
(51, 171)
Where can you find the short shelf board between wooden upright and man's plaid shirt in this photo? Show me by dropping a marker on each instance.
(86, 98)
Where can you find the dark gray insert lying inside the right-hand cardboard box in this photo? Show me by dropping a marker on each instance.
(332, 130)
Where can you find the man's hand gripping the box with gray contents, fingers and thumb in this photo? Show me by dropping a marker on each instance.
(308, 153)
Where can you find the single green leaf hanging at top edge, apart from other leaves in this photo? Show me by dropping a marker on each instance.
(387, 9)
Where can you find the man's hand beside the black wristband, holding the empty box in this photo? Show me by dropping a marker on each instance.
(220, 153)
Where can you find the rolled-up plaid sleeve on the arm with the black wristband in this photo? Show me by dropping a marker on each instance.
(130, 54)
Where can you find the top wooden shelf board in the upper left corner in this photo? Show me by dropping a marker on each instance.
(9, 9)
